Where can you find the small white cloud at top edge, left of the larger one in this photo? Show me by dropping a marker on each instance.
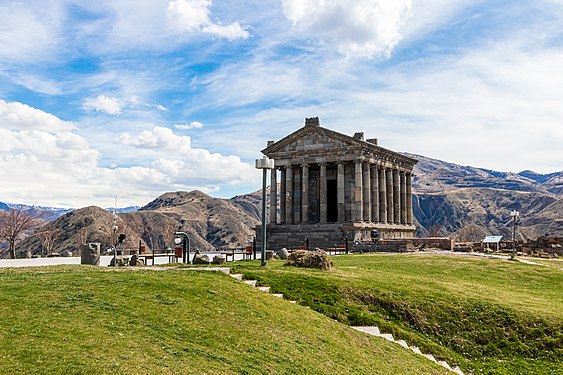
(194, 15)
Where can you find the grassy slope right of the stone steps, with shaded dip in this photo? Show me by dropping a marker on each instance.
(489, 316)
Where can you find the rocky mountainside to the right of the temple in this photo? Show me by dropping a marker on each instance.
(470, 202)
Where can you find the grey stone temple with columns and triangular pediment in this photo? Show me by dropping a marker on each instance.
(328, 186)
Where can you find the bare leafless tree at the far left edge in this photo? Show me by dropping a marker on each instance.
(15, 223)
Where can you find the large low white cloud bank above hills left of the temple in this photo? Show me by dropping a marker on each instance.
(43, 161)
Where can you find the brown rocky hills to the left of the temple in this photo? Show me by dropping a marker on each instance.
(209, 222)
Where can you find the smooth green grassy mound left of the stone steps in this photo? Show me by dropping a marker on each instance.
(75, 319)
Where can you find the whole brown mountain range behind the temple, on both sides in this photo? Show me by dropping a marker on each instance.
(464, 202)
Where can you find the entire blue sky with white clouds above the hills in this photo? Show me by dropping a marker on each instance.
(138, 97)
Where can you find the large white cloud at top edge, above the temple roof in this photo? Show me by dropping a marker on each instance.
(357, 28)
